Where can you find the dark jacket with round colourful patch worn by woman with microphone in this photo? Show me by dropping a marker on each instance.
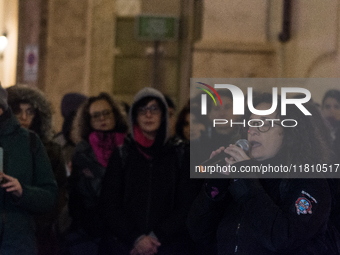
(261, 216)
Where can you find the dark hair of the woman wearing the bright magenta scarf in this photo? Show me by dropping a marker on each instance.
(85, 117)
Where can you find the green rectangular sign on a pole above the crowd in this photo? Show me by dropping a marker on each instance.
(156, 28)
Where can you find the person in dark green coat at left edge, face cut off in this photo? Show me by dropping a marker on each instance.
(28, 186)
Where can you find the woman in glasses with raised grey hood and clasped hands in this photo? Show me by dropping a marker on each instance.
(145, 196)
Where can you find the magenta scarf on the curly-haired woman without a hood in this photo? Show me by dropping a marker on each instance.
(104, 143)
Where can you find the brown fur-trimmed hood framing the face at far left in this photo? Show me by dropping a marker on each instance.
(24, 94)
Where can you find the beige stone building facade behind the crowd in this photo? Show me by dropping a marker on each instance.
(89, 46)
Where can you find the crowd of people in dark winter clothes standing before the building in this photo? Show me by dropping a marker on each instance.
(116, 179)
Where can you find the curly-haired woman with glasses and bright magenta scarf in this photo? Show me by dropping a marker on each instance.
(102, 127)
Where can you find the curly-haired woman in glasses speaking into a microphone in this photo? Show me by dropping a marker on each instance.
(283, 215)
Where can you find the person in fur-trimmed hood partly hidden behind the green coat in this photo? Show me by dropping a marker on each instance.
(33, 110)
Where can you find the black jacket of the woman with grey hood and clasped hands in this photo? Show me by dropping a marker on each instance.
(141, 195)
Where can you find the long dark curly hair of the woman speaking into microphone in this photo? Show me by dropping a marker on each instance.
(306, 143)
